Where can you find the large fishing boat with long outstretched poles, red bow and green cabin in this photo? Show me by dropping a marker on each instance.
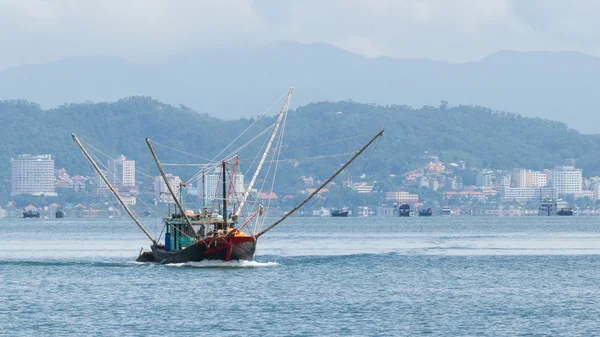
(222, 232)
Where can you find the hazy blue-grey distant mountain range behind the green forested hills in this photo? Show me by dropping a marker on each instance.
(233, 83)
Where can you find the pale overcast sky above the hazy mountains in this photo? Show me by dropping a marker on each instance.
(38, 31)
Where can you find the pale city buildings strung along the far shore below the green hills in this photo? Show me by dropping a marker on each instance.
(36, 175)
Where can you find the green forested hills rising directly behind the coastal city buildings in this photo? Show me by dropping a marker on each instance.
(479, 136)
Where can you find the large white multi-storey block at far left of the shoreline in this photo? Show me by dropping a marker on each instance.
(32, 175)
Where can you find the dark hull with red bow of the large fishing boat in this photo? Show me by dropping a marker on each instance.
(223, 249)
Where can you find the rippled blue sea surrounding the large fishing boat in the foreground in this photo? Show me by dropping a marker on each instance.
(458, 276)
